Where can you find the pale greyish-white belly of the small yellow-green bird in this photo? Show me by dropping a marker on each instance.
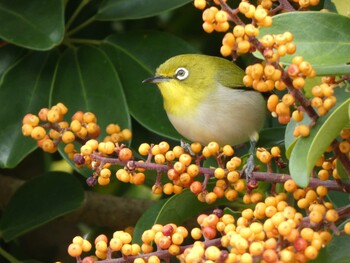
(232, 117)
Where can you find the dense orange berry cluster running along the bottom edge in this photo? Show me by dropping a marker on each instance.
(271, 232)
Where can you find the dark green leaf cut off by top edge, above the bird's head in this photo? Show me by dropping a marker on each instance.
(136, 9)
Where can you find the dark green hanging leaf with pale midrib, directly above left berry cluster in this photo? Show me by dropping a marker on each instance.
(86, 80)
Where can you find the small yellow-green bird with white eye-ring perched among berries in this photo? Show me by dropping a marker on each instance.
(205, 99)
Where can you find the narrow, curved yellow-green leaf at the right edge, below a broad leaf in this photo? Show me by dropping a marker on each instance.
(308, 150)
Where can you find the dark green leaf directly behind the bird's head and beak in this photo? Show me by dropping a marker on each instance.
(130, 54)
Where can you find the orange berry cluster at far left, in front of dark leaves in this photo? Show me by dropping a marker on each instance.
(49, 128)
